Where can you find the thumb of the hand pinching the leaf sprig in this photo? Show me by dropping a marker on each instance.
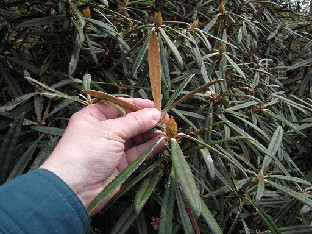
(137, 122)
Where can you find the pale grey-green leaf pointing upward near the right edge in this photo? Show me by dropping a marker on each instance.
(274, 145)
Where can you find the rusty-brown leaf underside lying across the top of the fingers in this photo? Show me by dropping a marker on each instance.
(107, 97)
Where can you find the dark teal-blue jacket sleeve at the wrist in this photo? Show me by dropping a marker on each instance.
(40, 202)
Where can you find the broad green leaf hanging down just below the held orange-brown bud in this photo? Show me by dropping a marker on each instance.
(185, 177)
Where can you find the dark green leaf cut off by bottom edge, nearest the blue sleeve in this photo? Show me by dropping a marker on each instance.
(125, 220)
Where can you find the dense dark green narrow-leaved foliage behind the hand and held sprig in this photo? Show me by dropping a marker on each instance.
(255, 174)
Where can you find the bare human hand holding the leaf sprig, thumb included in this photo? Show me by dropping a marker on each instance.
(99, 143)
